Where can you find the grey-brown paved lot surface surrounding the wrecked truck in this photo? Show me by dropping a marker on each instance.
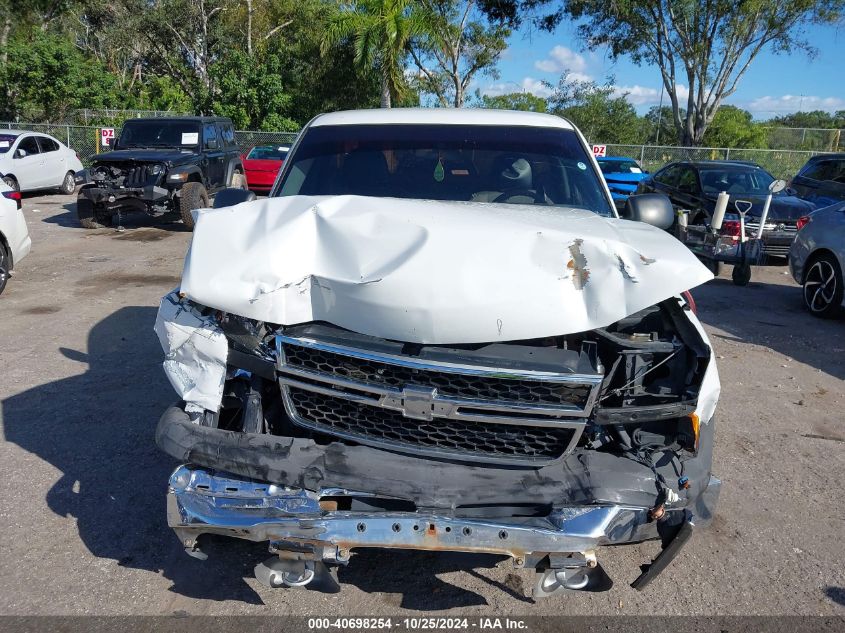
(83, 518)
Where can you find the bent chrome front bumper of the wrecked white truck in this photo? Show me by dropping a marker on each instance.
(202, 502)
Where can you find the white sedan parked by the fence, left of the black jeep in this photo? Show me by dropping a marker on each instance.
(30, 161)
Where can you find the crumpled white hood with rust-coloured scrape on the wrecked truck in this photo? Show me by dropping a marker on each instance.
(431, 272)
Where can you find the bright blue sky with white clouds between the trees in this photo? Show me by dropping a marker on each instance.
(773, 85)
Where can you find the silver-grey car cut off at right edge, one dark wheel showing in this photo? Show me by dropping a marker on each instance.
(817, 258)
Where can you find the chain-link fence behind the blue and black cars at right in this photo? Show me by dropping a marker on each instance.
(780, 163)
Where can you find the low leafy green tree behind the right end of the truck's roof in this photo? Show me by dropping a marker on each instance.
(600, 112)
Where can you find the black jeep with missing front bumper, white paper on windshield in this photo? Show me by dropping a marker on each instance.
(163, 167)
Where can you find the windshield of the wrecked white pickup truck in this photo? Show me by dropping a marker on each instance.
(523, 165)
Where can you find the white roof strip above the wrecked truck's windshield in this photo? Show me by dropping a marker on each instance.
(441, 116)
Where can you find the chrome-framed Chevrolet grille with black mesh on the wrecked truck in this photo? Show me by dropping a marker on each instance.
(402, 402)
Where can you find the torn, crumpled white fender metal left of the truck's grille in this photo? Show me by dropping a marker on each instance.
(195, 351)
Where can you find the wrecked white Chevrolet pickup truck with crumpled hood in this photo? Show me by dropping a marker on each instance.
(435, 334)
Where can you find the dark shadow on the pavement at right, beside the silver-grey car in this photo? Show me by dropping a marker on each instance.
(773, 316)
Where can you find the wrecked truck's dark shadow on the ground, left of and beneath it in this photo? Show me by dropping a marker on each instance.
(98, 430)
